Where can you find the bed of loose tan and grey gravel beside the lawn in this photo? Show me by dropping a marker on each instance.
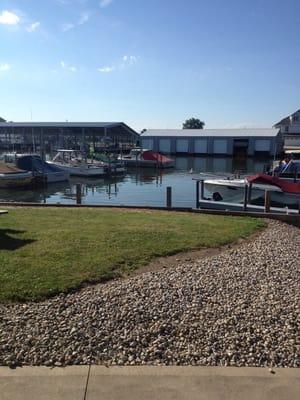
(238, 308)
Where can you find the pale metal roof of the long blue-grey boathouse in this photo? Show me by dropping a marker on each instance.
(272, 132)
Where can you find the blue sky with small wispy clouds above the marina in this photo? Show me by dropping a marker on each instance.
(151, 64)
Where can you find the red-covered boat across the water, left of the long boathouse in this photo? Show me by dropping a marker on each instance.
(139, 157)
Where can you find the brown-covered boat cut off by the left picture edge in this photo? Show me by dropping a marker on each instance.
(13, 177)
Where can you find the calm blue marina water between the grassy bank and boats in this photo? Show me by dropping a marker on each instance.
(141, 186)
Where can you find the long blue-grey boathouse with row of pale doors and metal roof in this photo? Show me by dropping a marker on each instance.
(223, 142)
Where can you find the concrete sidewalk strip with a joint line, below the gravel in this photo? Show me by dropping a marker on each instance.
(143, 383)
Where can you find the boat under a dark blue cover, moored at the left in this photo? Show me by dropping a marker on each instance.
(39, 168)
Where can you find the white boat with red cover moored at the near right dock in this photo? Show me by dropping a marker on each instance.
(283, 193)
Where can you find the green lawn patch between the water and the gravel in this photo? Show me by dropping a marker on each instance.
(47, 251)
